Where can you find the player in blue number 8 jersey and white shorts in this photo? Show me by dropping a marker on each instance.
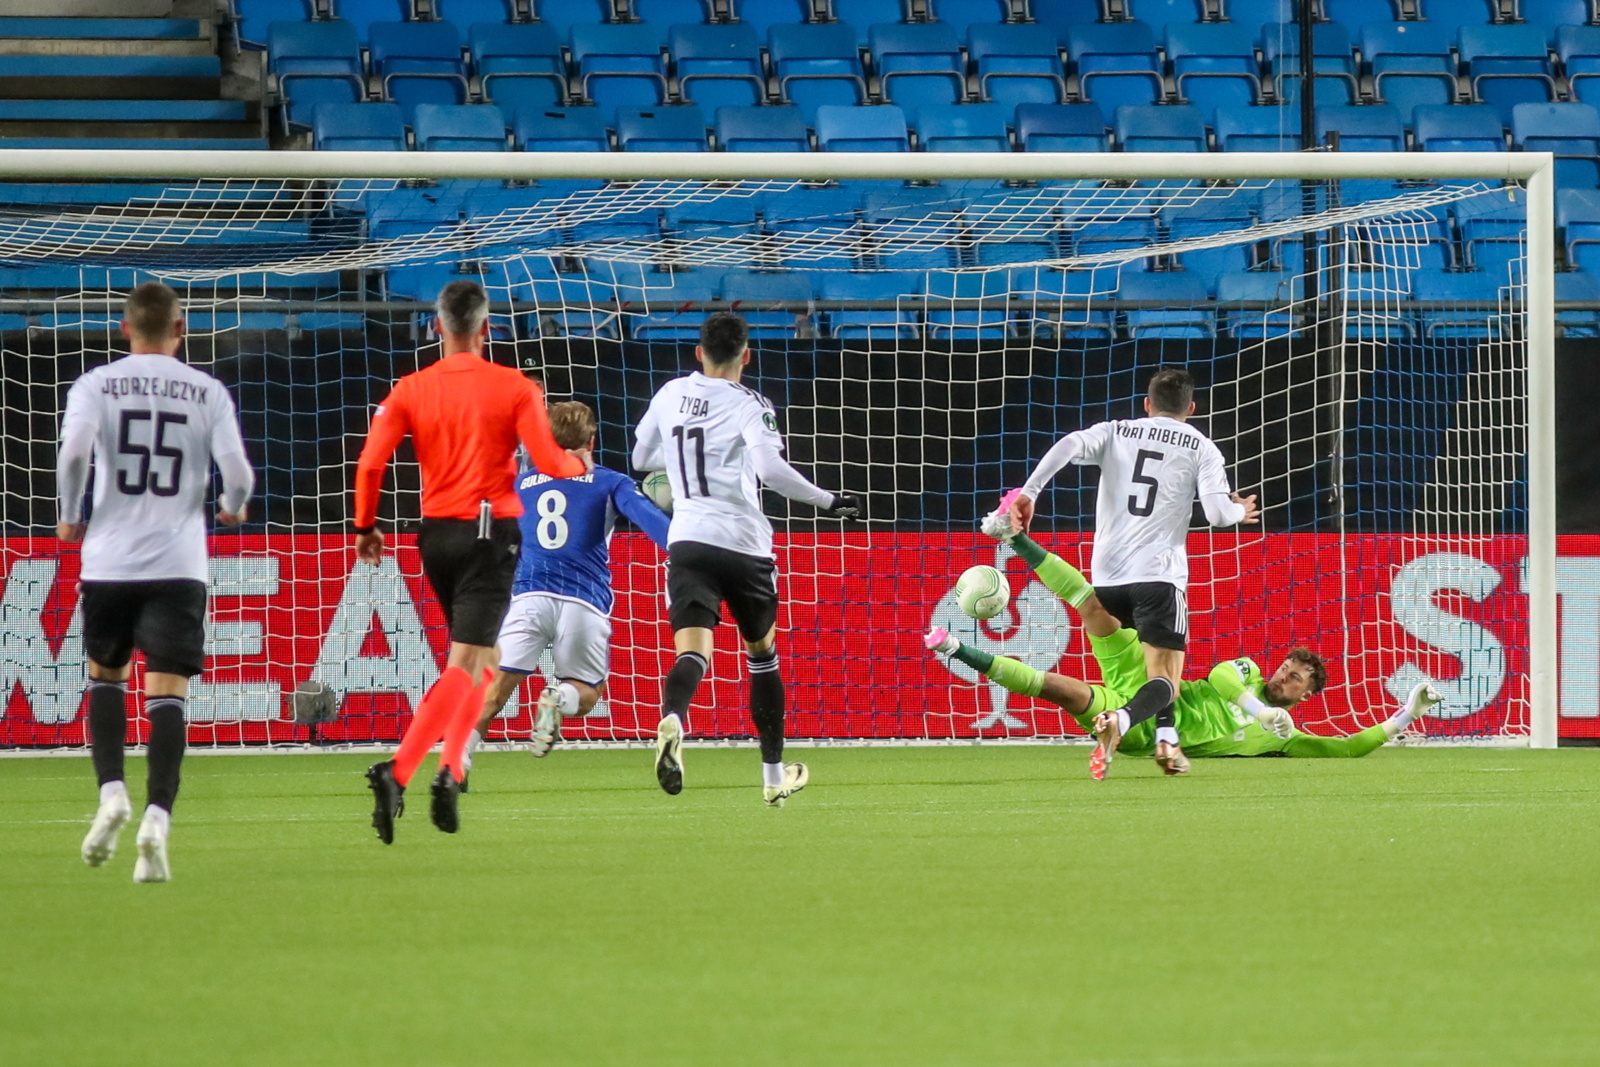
(562, 591)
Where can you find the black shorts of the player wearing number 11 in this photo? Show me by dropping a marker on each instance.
(702, 578)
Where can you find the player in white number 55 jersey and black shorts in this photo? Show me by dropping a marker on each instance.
(153, 426)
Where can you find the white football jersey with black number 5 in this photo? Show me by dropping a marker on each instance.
(1151, 474)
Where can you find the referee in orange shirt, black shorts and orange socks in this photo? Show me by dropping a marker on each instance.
(465, 417)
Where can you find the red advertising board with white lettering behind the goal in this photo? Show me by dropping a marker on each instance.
(1380, 610)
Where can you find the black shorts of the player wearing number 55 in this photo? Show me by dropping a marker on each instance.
(164, 620)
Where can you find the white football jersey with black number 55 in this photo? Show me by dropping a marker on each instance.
(158, 425)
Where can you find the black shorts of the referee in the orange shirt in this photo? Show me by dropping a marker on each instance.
(471, 577)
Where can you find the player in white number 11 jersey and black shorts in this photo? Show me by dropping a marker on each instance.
(719, 444)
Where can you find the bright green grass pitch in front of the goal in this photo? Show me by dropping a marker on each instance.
(914, 906)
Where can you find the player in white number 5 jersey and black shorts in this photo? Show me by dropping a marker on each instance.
(1151, 473)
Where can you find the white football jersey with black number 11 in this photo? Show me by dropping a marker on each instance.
(705, 430)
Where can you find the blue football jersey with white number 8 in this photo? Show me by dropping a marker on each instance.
(567, 532)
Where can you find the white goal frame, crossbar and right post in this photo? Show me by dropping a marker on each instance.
(1532, 172)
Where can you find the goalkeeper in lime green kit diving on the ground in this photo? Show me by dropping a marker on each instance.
(1234, 713)
